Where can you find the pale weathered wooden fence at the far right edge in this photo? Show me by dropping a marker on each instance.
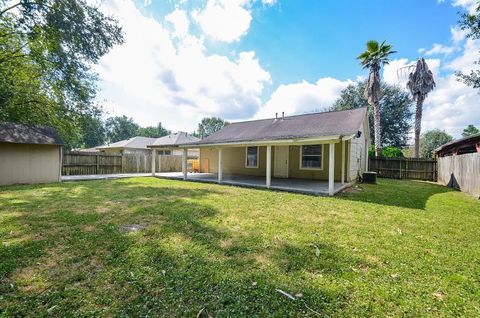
(461, 172)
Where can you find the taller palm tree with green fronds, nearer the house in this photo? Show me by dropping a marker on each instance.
(374, 58)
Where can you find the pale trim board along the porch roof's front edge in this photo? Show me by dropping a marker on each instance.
(300, 141)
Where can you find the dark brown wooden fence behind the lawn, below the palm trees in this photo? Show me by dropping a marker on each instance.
(404, 168)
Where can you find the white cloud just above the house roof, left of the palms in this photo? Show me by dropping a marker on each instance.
(303, 97)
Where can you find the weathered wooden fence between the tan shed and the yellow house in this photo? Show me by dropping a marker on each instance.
(84, 163)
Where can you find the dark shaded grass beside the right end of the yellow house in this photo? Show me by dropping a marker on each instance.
(400, 193)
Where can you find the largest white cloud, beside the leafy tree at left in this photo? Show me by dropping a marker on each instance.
(158, 75)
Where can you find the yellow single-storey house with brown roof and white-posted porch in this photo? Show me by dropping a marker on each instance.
(319, 153)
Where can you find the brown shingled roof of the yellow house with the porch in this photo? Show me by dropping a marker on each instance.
(343, 123)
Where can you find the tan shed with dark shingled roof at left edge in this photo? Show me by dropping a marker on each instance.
(29, 154)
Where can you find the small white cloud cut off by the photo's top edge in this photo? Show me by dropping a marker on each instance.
(224, 20)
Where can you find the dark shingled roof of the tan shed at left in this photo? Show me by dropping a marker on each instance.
(26, 134)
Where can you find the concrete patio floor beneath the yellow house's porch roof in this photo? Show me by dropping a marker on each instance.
(315, 187)
